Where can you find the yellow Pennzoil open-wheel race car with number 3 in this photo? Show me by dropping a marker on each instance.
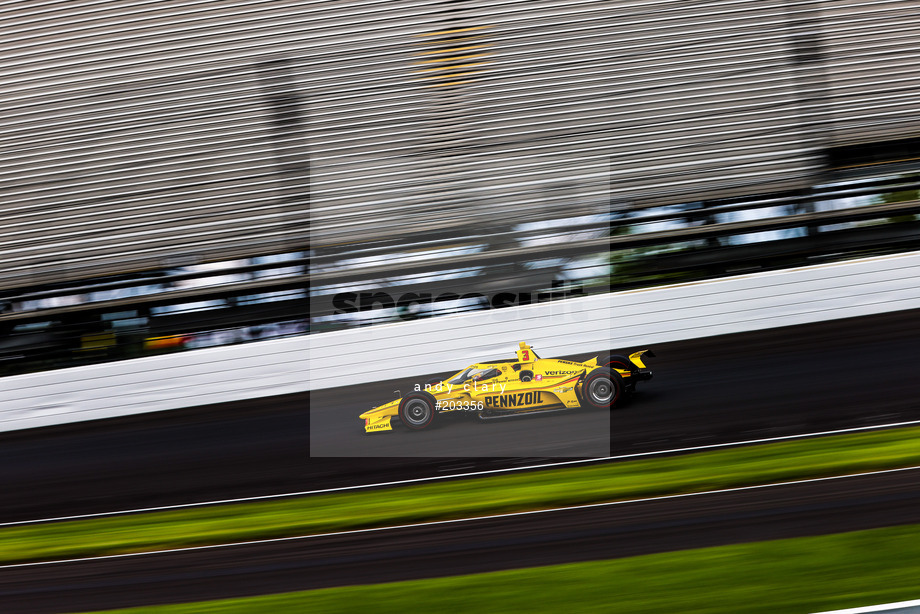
(526, 384)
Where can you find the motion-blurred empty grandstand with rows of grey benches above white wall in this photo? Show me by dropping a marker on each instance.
(181, 174)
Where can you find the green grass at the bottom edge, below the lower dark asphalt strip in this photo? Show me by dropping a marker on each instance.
(790, 576)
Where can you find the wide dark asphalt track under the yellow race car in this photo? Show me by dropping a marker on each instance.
(793, 380)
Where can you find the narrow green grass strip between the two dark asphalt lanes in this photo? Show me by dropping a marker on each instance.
(461, 498)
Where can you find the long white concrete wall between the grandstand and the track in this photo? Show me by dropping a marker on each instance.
(408, 349)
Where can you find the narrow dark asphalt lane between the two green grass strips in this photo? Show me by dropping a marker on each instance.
(629, 529)
